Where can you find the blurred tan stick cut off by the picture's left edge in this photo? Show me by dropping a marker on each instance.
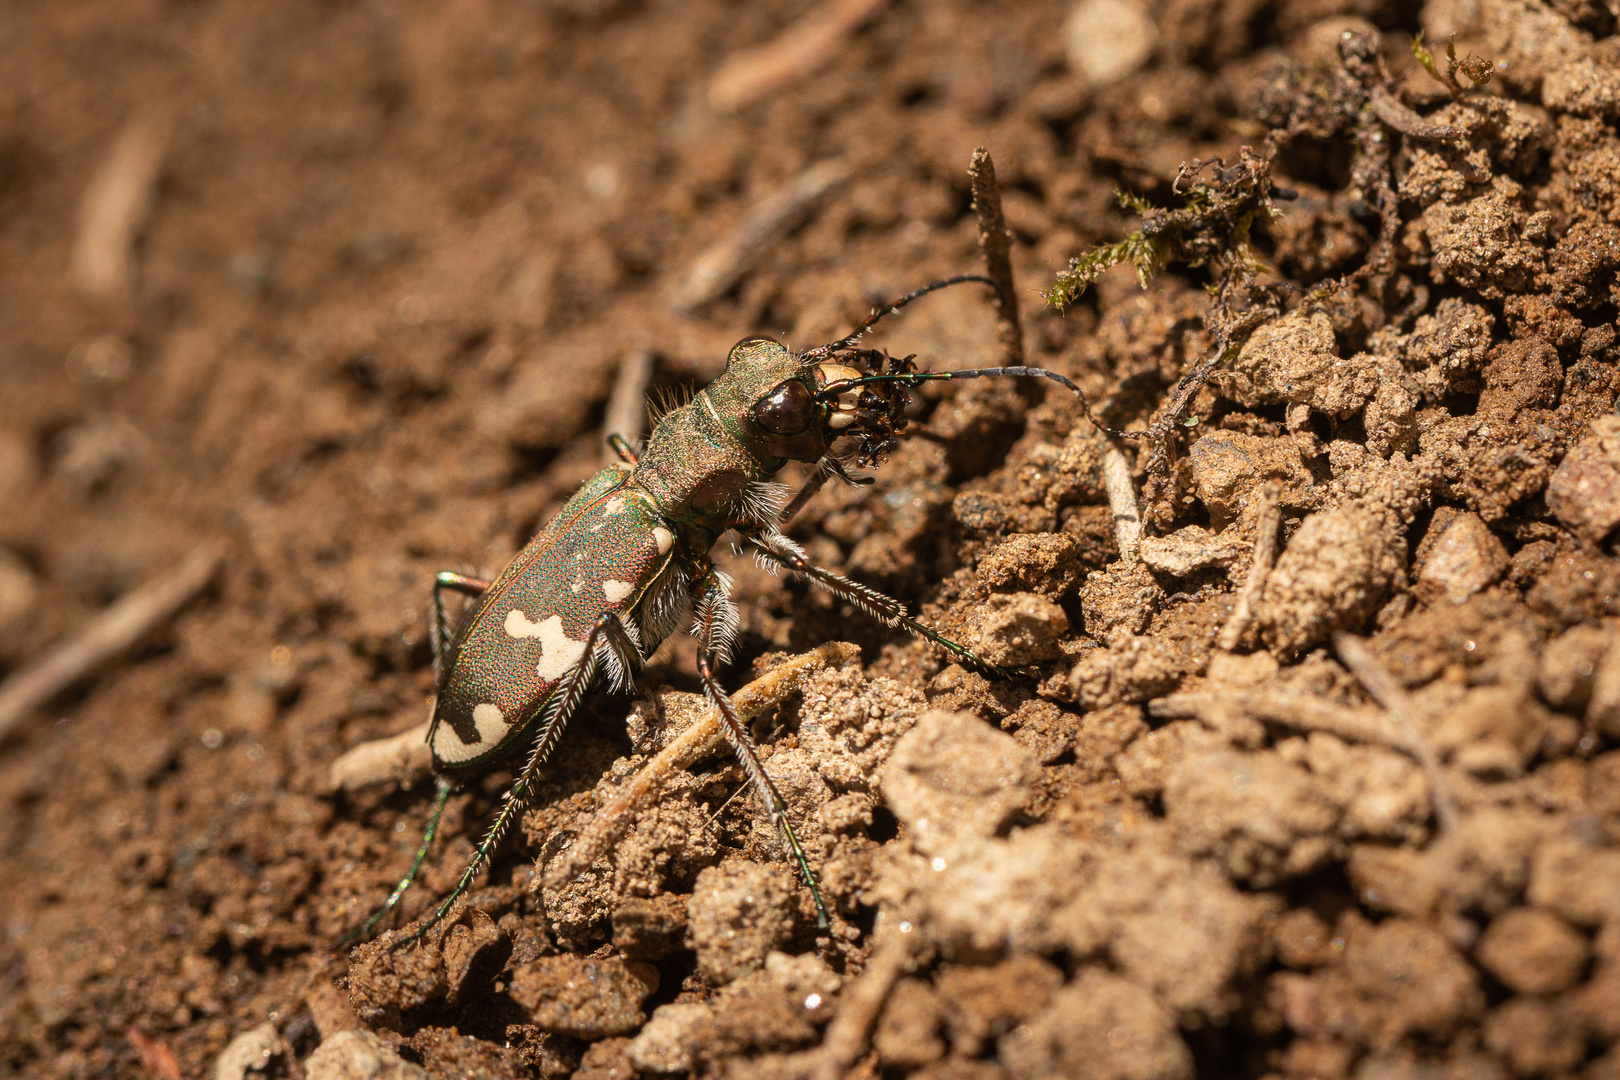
(106, 637)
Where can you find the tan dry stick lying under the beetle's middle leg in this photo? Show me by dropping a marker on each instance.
(702, 739)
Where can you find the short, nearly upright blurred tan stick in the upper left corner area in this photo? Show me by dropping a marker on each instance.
(116, 208)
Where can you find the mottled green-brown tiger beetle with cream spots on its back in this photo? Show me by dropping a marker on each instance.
(628, 561)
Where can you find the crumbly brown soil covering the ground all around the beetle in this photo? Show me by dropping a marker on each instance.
(343, 287)
